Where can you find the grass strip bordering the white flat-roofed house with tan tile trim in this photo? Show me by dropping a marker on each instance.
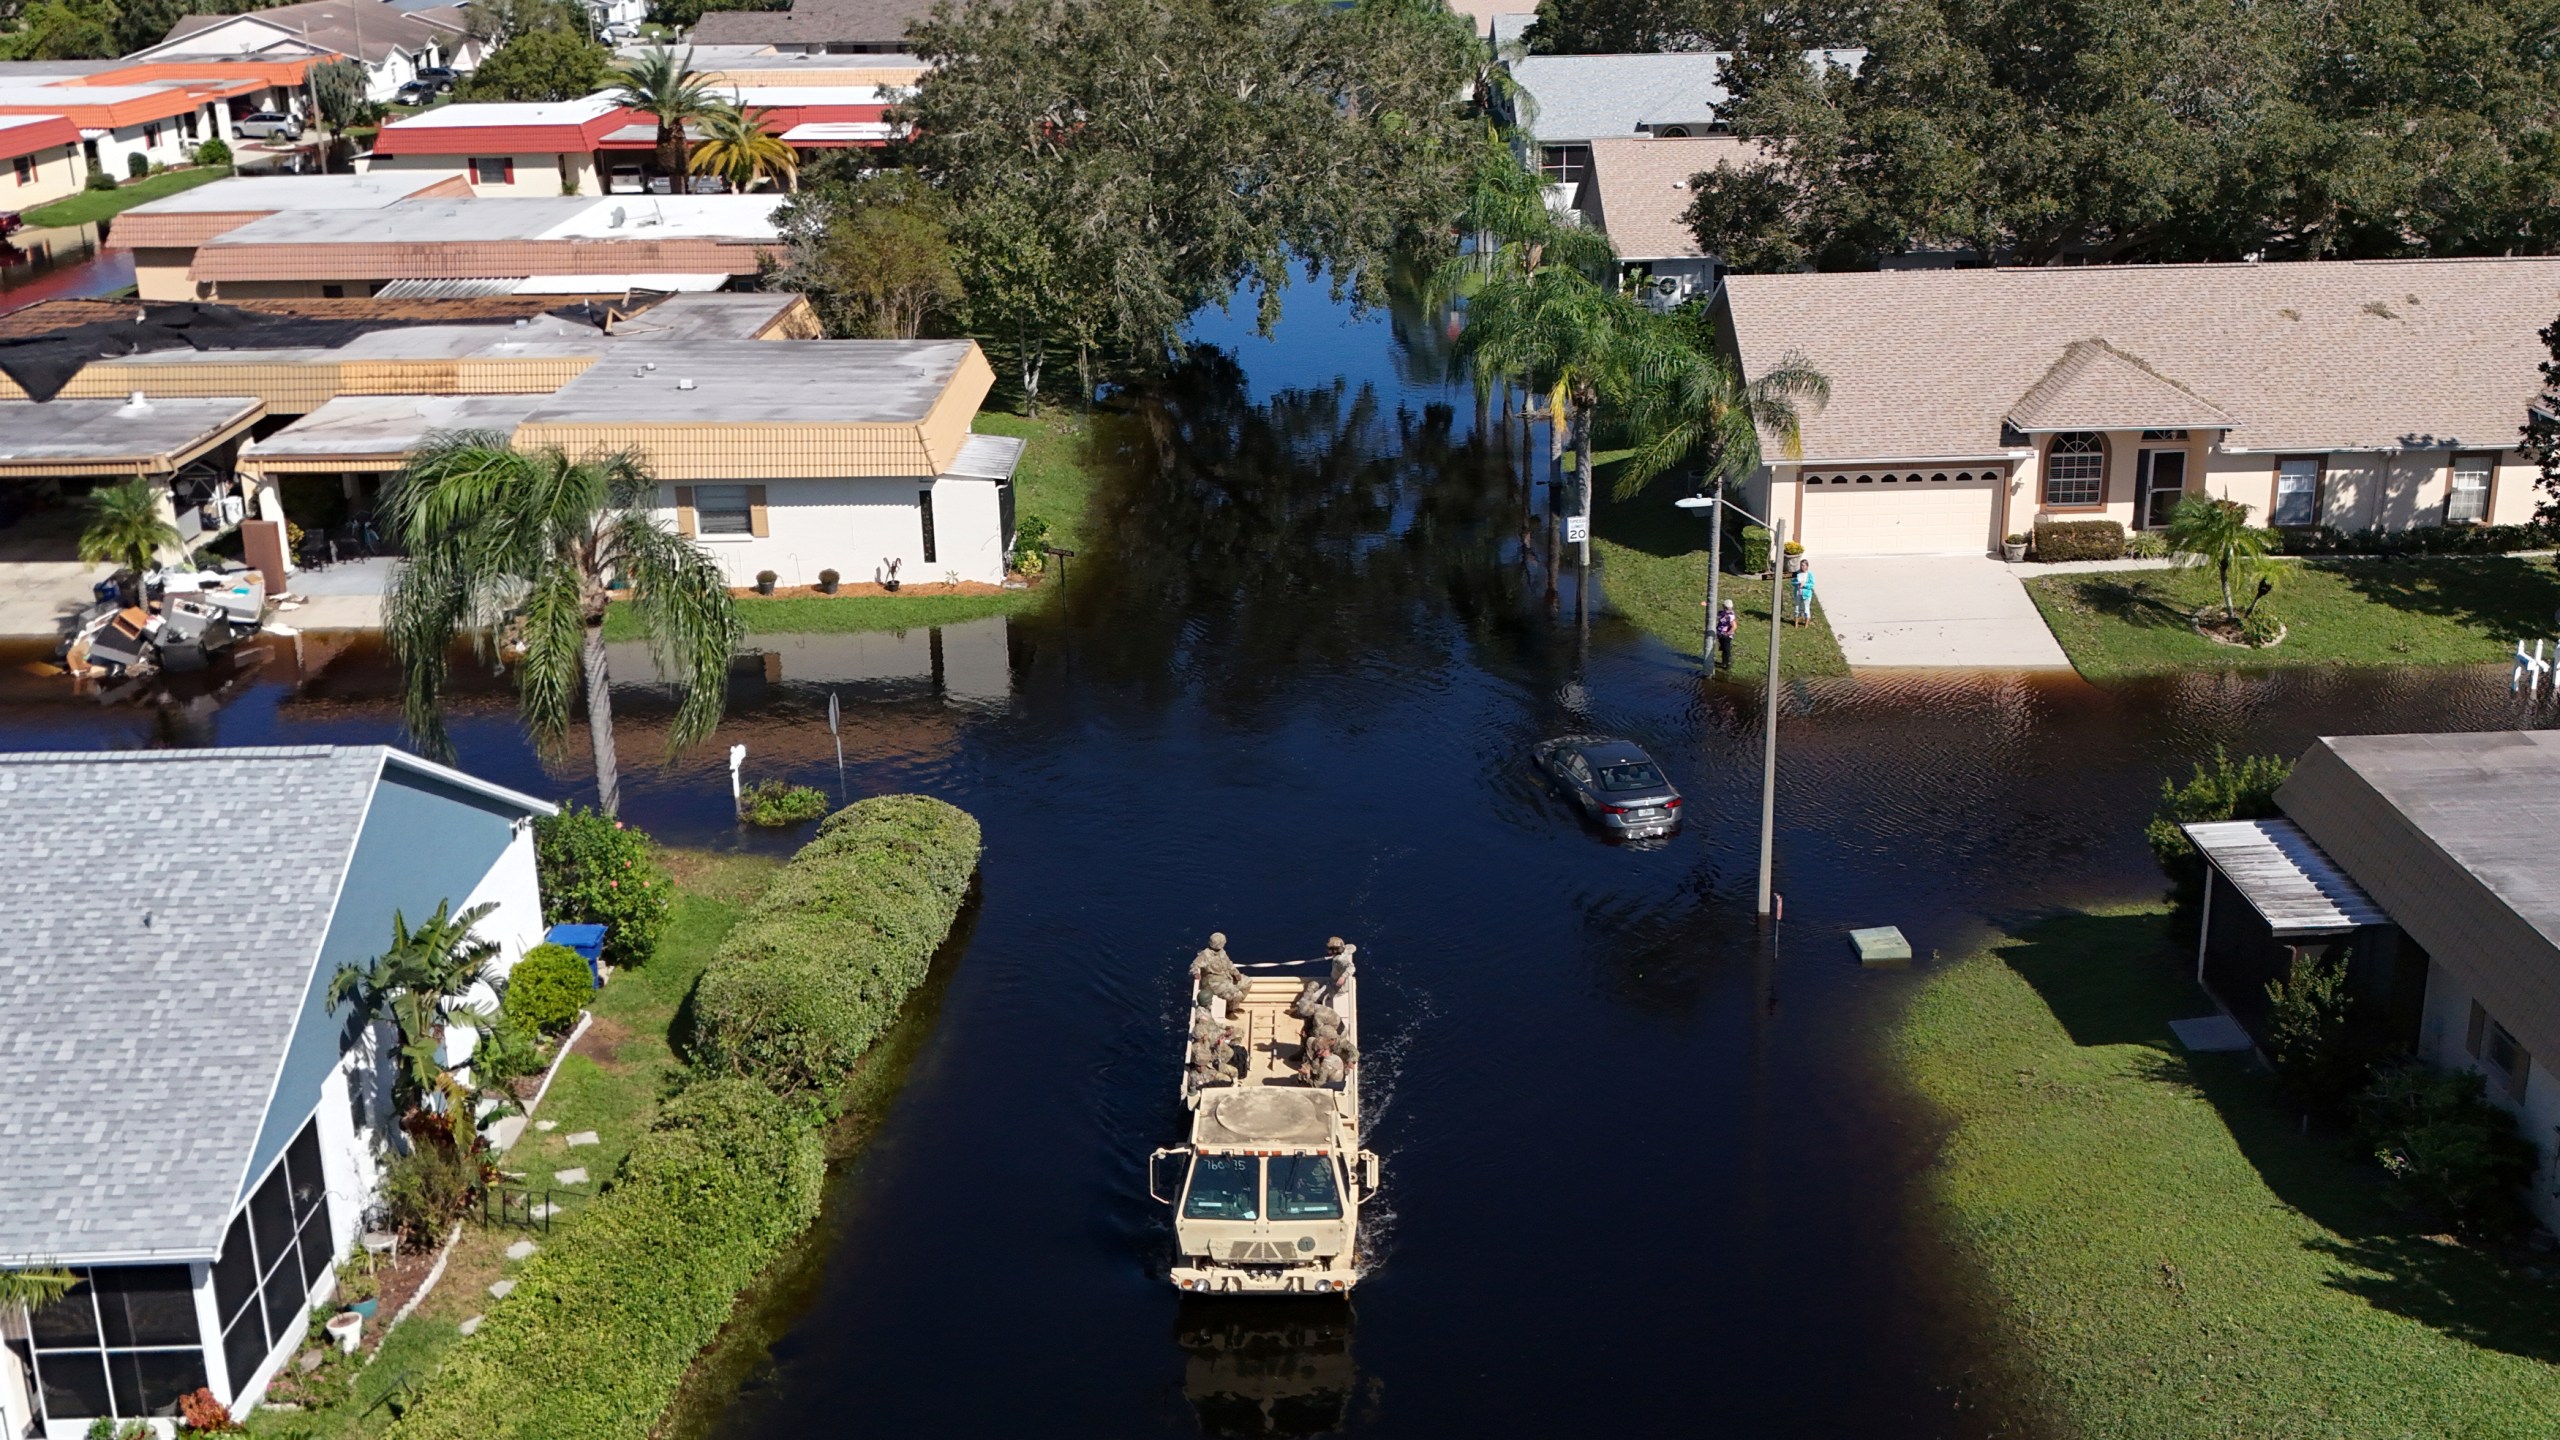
(1053, 483)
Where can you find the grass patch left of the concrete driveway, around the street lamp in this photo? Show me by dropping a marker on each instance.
(1655, 573)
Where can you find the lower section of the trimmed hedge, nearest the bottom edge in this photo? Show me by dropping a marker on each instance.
(608, 1318)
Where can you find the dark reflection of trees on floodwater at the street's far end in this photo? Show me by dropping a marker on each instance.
(1263, 547)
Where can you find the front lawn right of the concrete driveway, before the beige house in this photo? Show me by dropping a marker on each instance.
(2336, 614)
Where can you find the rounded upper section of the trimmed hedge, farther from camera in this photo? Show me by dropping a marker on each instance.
(820, 967)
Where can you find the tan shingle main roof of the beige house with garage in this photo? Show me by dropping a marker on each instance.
(2316, 355)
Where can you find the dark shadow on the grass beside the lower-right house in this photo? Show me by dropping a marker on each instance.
(2118, 980)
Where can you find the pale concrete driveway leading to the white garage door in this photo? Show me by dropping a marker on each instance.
(1934, 611)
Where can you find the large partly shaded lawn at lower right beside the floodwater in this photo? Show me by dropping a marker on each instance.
(2170, 1252)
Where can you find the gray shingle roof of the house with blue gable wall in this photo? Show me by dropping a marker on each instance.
(150, 983)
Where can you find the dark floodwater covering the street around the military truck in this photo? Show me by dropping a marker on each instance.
(1647, 1170)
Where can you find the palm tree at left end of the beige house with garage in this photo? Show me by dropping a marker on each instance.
(1691, 398)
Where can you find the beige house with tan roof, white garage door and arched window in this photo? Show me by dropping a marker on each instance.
(1965, 406)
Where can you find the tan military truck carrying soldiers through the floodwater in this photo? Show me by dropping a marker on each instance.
(1274, 1175)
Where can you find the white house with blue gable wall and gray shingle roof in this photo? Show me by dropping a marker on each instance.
(186, 1121)
